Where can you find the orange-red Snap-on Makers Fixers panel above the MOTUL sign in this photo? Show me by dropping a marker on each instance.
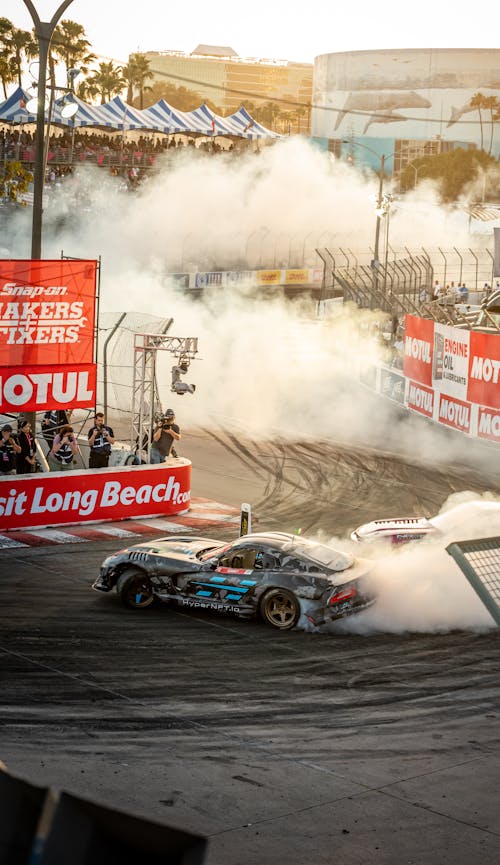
(47, 312)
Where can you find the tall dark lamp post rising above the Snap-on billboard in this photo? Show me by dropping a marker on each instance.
(43, 32)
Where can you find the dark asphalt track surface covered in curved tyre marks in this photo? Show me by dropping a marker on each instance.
(278, 747)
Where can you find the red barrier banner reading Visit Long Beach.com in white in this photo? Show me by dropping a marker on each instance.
(65, 498)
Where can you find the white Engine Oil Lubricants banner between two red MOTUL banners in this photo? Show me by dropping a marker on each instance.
(450, 367)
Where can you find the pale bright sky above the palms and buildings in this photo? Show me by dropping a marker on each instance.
(266, 30)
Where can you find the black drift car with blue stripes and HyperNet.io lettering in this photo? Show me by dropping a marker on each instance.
(273, 575)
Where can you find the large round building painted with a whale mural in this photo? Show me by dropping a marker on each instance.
(409, 102)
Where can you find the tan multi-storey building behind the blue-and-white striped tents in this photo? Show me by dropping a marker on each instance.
(228, 81)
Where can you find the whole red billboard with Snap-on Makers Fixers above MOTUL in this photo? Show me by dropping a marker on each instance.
(47, 328)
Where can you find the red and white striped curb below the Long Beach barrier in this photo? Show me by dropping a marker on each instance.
(203, 514)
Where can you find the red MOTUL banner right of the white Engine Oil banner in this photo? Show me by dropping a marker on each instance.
(484, 369)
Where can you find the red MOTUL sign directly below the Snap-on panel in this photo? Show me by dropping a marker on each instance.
(39, 388)
